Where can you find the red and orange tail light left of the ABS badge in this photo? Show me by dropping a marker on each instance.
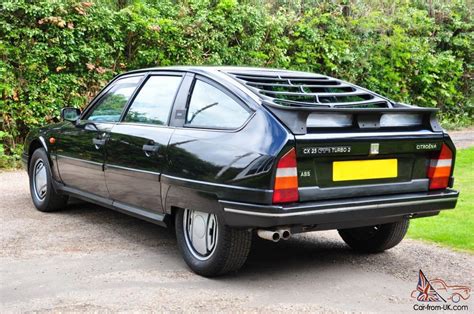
(285, 189)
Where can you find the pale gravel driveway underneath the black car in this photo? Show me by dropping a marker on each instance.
(89, 258)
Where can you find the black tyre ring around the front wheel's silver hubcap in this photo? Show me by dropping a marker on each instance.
(38, 154)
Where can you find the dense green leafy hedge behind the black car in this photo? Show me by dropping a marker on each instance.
(55, 53)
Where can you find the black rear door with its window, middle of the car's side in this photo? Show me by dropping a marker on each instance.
(137, 147)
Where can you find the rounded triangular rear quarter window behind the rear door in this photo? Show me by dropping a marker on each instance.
(209, 107)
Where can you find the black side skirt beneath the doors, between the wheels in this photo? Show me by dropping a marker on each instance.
(156, 218)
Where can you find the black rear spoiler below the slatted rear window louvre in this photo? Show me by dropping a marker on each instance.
(295, 118)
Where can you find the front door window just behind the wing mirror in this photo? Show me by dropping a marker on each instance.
(109, 108)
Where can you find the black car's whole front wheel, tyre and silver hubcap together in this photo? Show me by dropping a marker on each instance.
(44, 196)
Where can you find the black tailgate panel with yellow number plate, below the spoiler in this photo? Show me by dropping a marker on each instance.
(378, 164)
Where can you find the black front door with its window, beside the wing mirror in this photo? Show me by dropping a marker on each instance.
(80, 147)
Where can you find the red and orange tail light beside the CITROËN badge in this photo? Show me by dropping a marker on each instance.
(439, 170)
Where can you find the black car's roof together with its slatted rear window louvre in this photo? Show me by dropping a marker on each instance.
(288, 88)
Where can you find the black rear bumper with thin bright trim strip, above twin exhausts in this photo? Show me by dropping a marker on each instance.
(344, 213)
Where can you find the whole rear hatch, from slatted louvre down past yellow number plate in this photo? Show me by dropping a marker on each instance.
(349, 141)
